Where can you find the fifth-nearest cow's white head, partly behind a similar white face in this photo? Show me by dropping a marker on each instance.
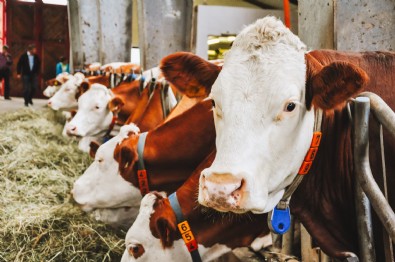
(65, 98)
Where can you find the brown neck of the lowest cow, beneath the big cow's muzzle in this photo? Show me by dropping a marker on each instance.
(211, 227)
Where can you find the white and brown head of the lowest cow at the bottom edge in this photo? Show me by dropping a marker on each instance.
(152, 235)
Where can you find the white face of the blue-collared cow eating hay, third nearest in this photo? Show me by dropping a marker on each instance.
(101, 186)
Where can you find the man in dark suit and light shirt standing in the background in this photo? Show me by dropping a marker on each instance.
(28, 68)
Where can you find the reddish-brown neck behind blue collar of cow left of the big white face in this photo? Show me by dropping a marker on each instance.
(174, 149)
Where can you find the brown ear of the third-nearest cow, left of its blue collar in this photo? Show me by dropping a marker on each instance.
(126, 155)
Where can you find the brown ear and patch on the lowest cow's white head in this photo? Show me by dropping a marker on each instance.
(163, 222)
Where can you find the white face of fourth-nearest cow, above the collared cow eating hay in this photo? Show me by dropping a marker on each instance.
(94, 115)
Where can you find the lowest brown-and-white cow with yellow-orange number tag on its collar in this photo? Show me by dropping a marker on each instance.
(154, 236)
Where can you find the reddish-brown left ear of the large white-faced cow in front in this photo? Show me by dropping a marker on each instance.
(189, 73)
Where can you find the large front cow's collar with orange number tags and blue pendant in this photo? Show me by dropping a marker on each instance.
(279, 218)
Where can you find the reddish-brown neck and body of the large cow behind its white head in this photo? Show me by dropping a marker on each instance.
(324, 202)
